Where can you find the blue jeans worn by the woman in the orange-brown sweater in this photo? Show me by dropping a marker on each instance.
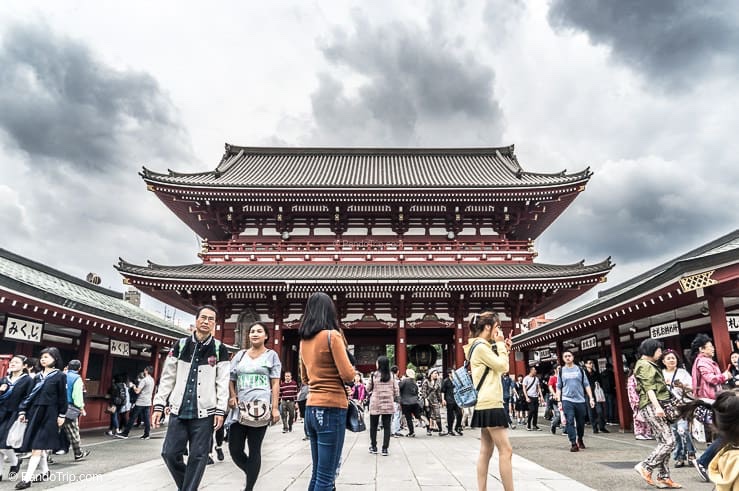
(326, 428)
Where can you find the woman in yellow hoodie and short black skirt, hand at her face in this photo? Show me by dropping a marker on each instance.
(490, 361)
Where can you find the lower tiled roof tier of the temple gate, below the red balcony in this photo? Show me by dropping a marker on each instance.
(351, 272)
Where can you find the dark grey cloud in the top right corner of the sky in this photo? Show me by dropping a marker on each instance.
(674, 42)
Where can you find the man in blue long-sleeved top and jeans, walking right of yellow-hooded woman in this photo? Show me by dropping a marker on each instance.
(572, 388)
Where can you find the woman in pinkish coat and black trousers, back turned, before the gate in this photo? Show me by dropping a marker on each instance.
(383, 387)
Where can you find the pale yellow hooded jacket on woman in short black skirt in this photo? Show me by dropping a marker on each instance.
(491, 392)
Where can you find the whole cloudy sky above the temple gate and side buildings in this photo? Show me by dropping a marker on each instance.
(644, 93)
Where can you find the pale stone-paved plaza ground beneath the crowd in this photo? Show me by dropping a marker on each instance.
(542, 461)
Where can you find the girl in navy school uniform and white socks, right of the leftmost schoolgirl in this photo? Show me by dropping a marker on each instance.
(44, 411)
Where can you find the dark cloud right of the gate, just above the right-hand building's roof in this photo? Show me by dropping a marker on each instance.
(643, 211)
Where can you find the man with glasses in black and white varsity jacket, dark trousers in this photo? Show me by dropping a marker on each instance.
(194, 383)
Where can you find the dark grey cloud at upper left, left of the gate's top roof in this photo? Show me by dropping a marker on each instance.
(57, 101)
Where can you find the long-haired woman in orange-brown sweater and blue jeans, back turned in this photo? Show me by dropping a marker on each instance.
(325, 367)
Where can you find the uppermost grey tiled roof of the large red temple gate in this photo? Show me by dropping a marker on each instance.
(408, 168)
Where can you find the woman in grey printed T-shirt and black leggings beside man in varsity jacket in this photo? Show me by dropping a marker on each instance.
(255, 378)
